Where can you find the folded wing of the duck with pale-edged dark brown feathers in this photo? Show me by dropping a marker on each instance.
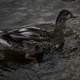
(29, 33)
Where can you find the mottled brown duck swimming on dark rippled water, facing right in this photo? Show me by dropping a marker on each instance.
(39, 41)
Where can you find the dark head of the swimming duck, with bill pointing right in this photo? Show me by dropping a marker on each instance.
(63, 16)
